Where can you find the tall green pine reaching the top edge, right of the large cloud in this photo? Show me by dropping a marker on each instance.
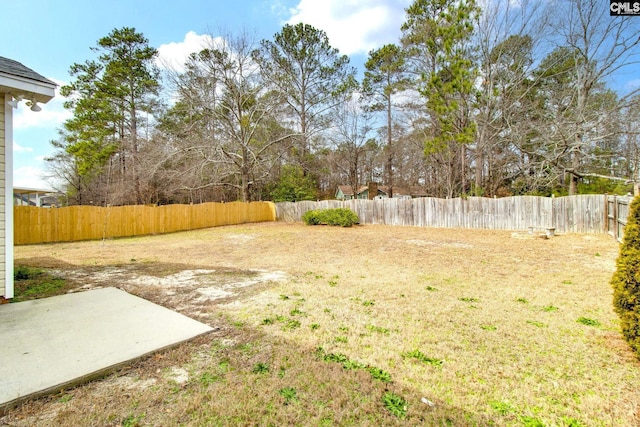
(436, 37)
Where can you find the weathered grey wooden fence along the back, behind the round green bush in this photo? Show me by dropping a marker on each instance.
(576, 214)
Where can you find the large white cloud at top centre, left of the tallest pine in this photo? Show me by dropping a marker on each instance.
(354, 26)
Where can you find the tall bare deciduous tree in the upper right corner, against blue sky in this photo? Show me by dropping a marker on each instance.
(598, 46)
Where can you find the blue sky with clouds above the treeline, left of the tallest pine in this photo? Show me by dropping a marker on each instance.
(48, 36)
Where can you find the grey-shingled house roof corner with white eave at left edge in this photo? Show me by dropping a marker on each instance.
(23, 82)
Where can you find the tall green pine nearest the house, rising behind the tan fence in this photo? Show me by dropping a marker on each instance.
(108, 97)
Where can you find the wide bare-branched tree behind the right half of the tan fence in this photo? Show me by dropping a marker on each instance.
(225, 103)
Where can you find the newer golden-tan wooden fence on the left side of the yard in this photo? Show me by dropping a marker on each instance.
(40, 225)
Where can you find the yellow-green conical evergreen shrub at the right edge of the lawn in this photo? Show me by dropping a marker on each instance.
(626, 279)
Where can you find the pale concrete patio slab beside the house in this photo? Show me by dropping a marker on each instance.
(53, 343)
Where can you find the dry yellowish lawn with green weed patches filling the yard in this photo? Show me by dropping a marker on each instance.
(368, 325)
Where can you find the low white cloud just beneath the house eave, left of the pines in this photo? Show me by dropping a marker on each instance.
(53, 113)
